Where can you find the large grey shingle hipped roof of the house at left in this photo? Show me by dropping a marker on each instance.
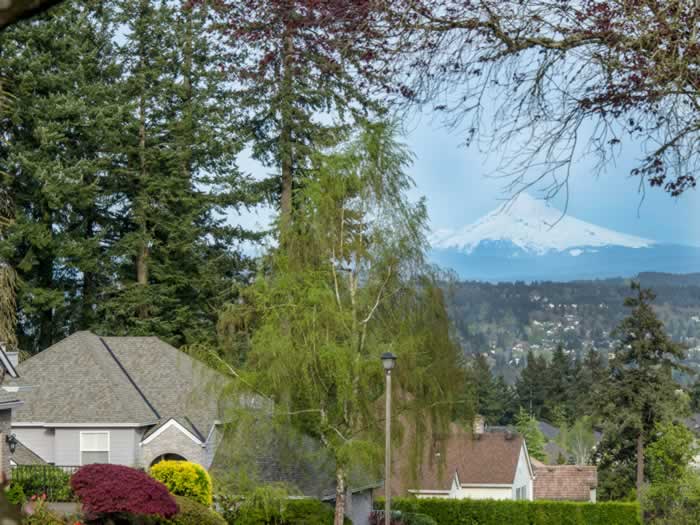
(141, 380)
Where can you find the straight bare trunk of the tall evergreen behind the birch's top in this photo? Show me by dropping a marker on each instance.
(286, 139)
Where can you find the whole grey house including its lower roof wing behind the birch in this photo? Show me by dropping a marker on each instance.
(137, 400)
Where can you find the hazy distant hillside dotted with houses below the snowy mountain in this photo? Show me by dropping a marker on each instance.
(508, 319)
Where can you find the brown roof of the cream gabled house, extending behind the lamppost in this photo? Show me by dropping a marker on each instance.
(489, 458)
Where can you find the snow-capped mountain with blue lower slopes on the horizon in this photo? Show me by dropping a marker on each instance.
(529, 240)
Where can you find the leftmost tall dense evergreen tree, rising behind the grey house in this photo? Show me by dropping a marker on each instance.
(57, 155)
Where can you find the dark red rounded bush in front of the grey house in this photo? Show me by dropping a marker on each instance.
(108, 491)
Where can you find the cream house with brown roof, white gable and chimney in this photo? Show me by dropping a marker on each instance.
(478, 465)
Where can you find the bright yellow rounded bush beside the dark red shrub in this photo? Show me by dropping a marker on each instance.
(184, 479)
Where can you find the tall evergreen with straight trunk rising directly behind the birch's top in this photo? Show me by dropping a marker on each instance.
(305, 71)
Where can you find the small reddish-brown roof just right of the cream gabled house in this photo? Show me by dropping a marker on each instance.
(564, 482)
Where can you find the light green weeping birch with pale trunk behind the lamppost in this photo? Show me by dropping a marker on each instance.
(350, 284)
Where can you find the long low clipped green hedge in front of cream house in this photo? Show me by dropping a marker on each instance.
(492, 512)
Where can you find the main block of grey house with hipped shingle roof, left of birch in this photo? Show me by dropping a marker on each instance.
(124, 400)
